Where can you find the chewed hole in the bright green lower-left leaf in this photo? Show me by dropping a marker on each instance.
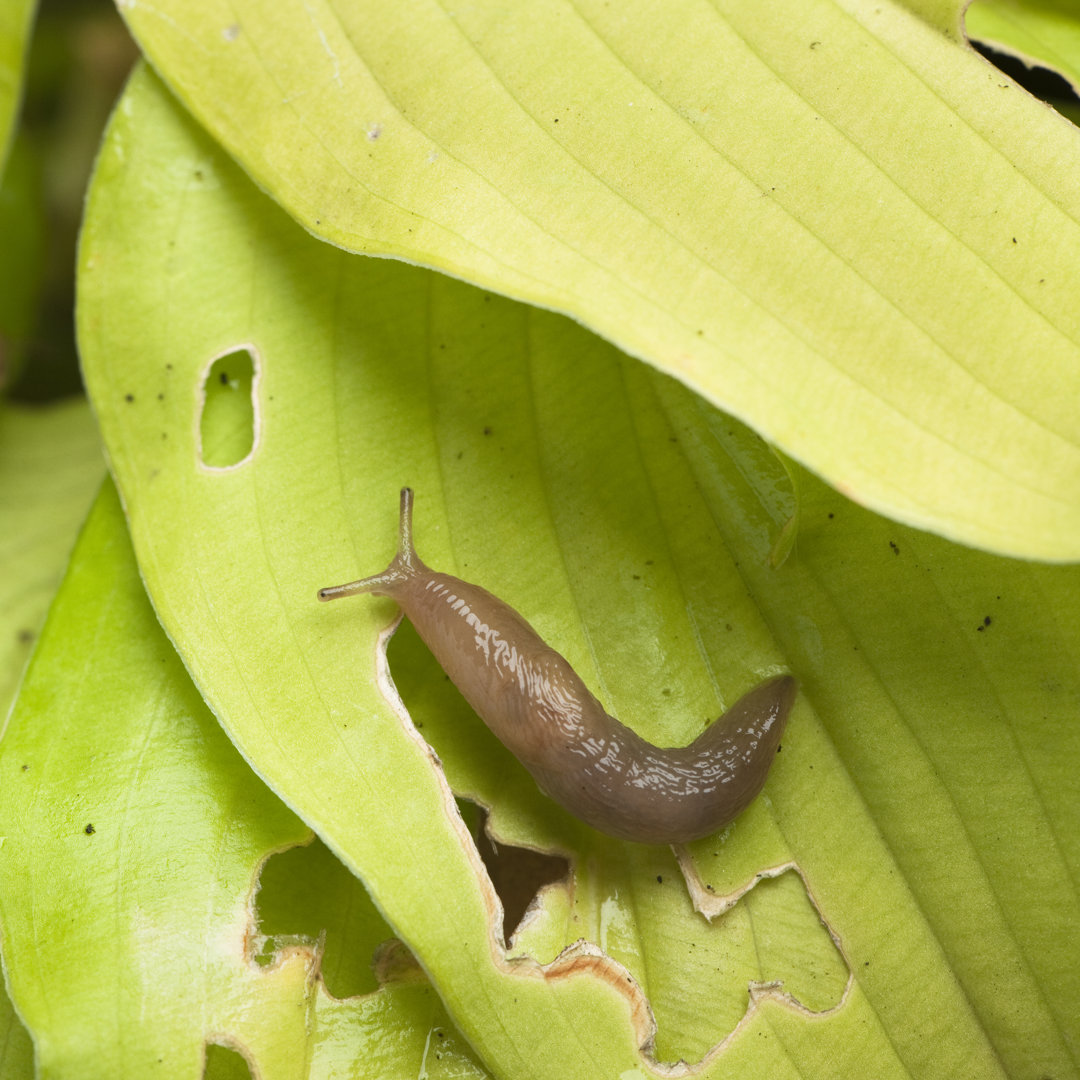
(307, 897)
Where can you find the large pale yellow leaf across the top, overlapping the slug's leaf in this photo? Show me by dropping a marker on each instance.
(835, 221)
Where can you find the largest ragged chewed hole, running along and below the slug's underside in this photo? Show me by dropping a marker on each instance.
(701, 979)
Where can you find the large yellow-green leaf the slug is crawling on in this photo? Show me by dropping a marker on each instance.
(921, 808)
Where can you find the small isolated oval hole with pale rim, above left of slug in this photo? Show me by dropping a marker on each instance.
(228, 423)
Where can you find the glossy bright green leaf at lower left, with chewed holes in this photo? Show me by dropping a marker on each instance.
(132, 839)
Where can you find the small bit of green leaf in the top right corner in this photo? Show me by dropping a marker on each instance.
(1038, 32)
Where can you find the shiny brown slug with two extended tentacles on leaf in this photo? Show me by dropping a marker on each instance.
(537, 706)
